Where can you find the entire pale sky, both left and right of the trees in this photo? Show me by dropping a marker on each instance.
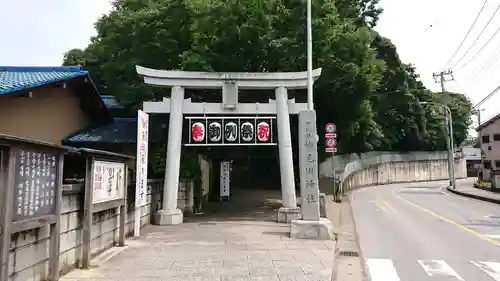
(39, 32)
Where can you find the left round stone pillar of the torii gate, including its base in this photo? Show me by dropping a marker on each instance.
(170, 214)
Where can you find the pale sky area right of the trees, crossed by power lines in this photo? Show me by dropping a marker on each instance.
(408, 25)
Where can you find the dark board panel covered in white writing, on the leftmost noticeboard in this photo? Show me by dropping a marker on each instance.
(35, 183)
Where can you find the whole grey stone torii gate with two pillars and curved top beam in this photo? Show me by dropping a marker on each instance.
(230, 83)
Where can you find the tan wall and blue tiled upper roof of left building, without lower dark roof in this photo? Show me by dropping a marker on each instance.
(49, 103)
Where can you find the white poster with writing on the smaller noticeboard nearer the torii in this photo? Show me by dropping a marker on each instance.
(108, 181)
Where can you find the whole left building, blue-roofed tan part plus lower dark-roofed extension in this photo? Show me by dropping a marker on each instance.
(61, 105)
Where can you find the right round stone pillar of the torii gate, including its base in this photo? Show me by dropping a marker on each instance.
(289, 211)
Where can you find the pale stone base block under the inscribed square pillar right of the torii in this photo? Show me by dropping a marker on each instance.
(318, 230)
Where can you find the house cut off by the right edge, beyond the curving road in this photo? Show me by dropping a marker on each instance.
(490, 145)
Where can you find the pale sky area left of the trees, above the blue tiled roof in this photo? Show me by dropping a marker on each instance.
(38, 32)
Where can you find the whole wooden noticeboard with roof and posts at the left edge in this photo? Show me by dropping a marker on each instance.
(31, 175)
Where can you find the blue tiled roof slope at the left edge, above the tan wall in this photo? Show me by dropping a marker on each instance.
(16, 78)
